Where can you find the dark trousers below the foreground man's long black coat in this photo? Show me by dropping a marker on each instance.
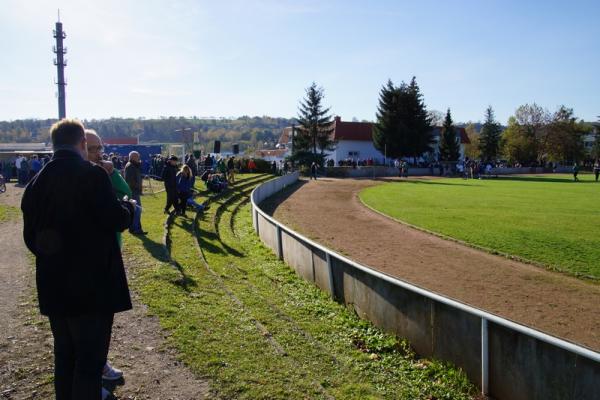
(80, 351)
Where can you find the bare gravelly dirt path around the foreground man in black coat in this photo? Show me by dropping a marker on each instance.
(152, 370)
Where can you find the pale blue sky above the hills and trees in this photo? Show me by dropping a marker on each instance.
(230, 58)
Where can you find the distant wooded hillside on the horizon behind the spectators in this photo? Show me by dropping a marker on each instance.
(250, 132)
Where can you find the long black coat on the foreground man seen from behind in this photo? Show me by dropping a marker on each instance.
(71, 215)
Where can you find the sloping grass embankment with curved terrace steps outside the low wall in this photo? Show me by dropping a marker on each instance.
(242, 318)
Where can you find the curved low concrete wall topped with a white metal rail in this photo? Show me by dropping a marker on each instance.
(505, 359)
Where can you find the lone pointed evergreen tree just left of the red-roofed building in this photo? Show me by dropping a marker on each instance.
(315, 125)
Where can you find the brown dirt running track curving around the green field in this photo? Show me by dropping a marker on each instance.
(329, 211)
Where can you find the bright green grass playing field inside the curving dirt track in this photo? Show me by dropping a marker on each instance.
(545, 219)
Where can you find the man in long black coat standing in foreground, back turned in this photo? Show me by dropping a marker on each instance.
(71, 216)
